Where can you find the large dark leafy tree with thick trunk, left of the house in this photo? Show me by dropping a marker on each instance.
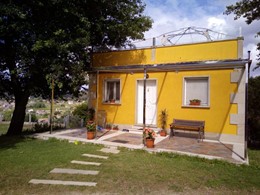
(46, 40)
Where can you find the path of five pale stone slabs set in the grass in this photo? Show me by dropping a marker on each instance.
(112, 150)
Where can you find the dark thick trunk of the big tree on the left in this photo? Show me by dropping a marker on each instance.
(17, 121)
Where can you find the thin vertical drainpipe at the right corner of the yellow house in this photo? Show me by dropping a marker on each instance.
(246, 114)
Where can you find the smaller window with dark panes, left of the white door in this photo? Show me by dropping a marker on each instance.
(112, 91)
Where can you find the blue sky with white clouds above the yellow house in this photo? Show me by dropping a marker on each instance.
(172, 15)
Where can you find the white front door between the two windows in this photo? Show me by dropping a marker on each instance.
(151, 102)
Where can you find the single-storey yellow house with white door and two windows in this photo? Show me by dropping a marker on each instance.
(213, 72)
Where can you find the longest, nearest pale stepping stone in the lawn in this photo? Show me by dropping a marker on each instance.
(59, 182)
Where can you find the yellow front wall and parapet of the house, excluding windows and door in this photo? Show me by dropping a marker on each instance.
(224, 116)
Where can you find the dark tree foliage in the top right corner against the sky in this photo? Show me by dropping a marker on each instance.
(249, 9)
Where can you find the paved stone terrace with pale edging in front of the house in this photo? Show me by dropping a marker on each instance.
(182, 143)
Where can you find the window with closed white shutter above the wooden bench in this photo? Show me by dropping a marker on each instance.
(196, 88)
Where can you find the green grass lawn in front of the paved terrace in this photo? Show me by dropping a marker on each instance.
(129, 172)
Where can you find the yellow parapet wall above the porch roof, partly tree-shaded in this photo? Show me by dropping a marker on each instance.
(218, 50)
